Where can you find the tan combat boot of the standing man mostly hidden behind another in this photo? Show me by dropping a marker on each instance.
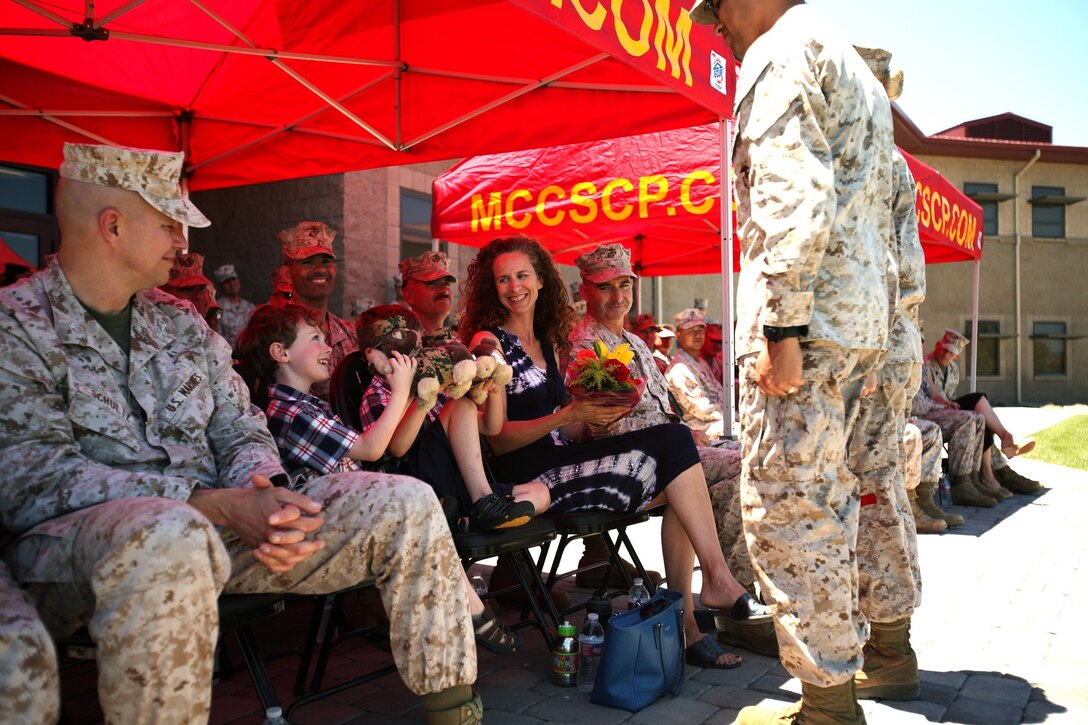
(892, 667)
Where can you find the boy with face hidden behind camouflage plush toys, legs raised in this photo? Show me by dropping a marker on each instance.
(442, 446)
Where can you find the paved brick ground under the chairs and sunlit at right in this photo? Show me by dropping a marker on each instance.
(1000, 637)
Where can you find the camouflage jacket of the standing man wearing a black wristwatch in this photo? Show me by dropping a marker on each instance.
(813, 162)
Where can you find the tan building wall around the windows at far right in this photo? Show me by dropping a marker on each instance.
(1054, 280)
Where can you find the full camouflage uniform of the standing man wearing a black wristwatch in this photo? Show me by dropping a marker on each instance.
(813, 164)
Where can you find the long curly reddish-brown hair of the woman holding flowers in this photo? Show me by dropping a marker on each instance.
(480, 308)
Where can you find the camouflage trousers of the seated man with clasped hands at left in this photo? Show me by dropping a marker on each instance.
(144, 576)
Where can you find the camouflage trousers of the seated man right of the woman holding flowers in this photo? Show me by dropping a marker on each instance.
(722, 465)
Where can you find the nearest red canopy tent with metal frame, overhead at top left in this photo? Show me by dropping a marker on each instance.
(256, 91)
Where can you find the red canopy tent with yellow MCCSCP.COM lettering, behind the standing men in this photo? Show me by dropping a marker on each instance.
(658, 194)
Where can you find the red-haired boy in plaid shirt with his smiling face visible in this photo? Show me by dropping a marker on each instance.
(287, 346)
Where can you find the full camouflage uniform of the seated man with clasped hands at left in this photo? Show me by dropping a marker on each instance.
(103, 452)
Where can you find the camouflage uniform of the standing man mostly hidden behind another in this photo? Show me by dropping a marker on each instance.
(889, 574)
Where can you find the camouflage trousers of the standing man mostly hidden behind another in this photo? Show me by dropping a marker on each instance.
(888, 574)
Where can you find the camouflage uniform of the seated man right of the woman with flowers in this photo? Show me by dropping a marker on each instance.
(721, 463)
